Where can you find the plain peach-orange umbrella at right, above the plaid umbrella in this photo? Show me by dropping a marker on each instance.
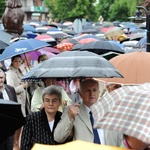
(133, 66)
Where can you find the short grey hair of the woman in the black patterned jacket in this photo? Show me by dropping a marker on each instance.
(52, 89)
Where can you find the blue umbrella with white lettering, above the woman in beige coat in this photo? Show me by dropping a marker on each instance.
(21, 47)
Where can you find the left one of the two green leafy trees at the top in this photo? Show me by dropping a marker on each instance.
(72, 9)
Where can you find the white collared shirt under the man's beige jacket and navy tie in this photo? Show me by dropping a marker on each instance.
(100, 131)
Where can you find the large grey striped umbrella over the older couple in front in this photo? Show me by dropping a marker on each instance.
(71, 64)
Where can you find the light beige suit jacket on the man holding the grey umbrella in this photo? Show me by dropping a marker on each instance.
(82, 129)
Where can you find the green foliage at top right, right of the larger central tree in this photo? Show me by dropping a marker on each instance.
(119, 10)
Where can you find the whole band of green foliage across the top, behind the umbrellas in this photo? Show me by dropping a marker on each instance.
(111, 10)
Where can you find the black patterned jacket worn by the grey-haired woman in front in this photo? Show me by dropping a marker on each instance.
(37, 130)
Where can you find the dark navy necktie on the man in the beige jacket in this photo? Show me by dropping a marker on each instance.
(96, 137)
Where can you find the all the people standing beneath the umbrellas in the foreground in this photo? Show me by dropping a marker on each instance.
(54, 116)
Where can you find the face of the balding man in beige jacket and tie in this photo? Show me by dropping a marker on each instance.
(90, 93)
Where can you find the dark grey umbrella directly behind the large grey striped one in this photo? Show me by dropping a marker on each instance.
(101, 47)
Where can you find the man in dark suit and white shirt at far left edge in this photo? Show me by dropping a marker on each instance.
(7, 92)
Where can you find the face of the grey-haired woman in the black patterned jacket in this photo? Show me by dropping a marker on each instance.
(51, 103)
